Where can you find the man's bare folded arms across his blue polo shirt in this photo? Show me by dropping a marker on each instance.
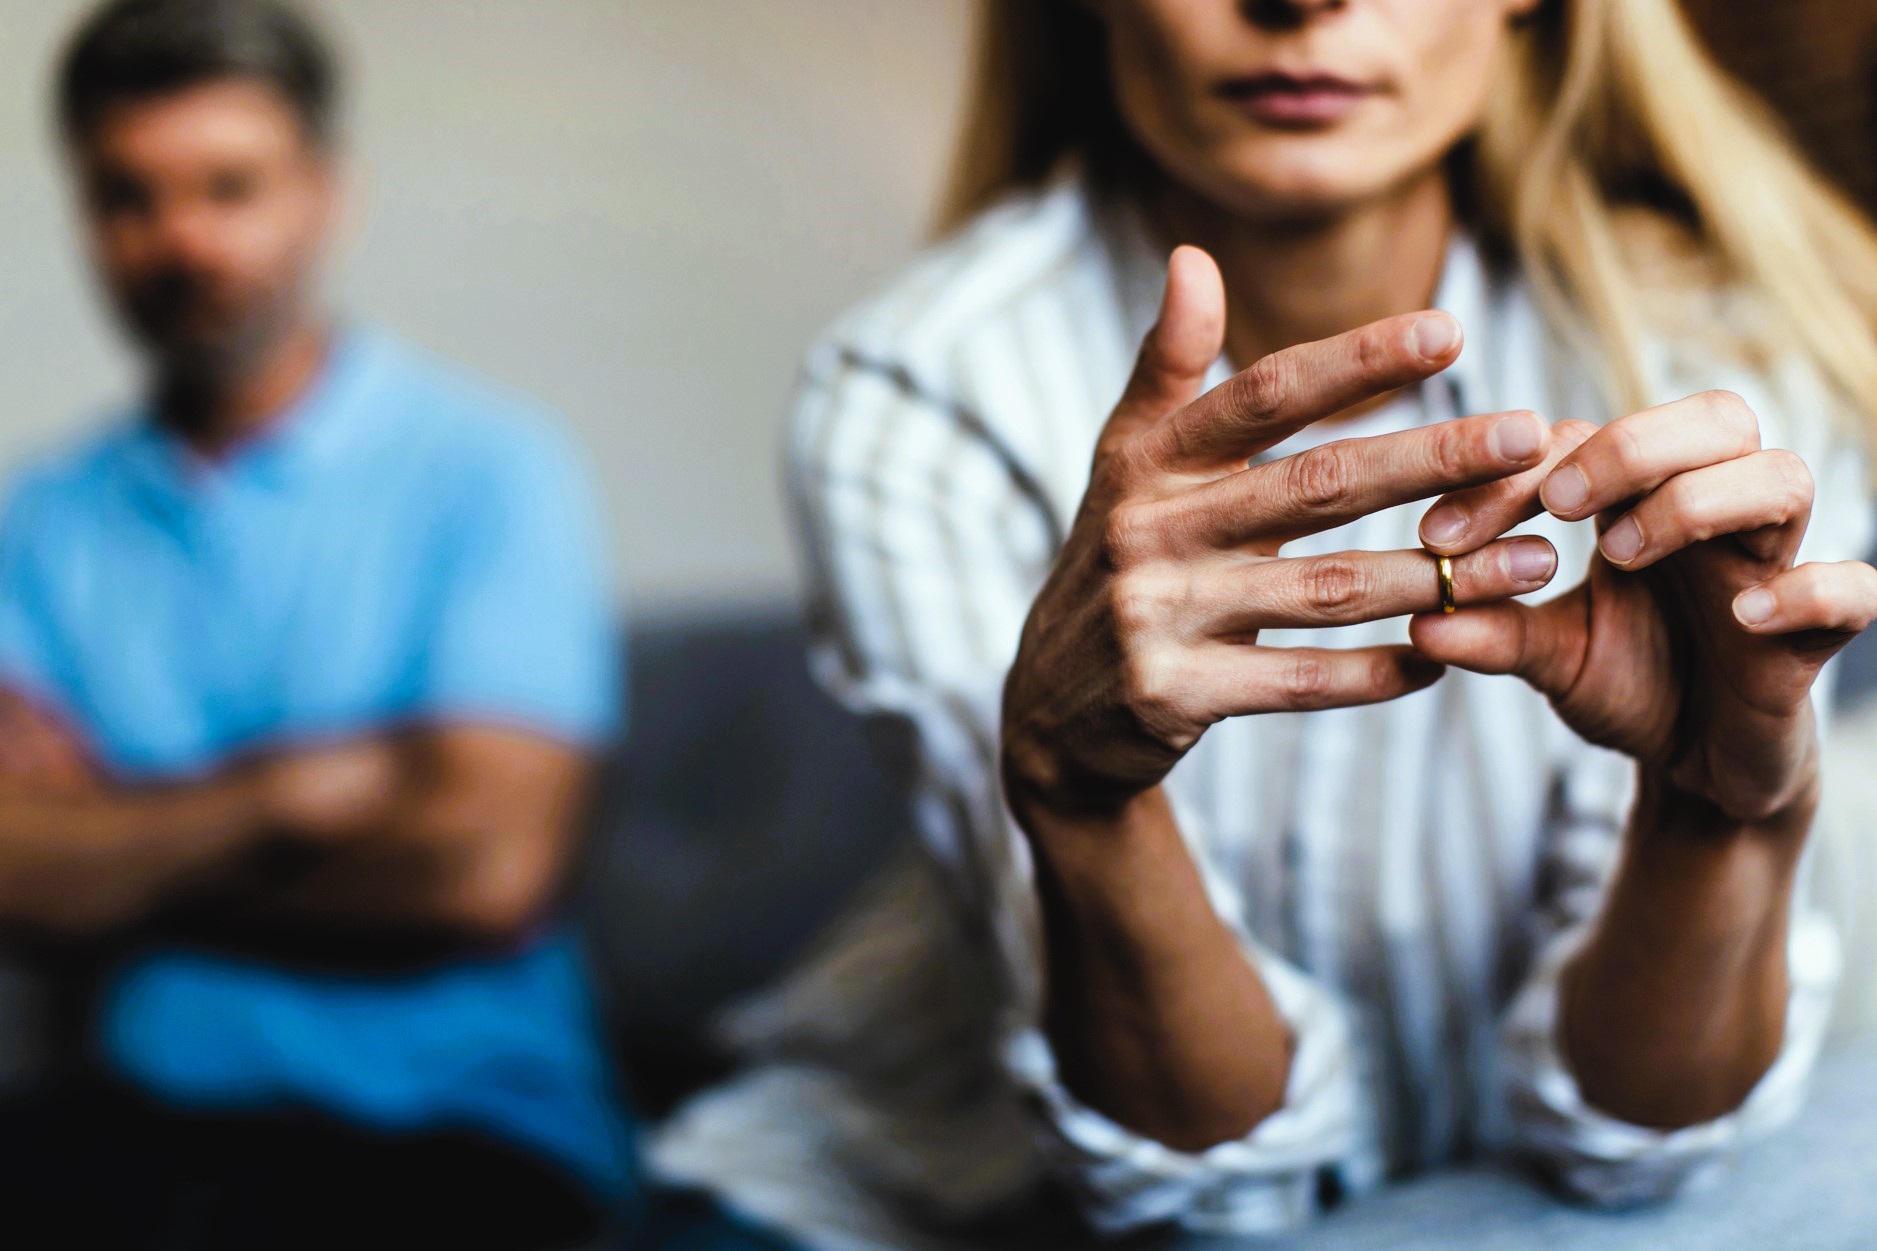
(453, 833)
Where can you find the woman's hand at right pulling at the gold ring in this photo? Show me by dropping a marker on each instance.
(1694, 640)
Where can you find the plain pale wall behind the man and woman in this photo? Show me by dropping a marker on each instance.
(635, 209)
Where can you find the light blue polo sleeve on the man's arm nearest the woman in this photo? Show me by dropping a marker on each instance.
(528, 630)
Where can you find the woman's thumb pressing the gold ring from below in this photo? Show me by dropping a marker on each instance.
(1546, 643)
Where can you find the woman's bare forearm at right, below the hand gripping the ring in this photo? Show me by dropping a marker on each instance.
(1675, 1008)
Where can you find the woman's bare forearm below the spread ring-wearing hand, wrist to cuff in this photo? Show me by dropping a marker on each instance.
(1153, 1010)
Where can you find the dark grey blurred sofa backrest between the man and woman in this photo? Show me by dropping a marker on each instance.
(742, 816)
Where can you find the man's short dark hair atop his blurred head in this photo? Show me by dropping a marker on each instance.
(140, 50)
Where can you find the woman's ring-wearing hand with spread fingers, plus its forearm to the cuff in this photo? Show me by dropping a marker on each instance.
(1146, 634)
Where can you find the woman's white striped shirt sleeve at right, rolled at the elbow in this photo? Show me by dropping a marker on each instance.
(1589, 1152)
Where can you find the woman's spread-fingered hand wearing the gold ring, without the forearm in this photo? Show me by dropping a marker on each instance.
(1146, 632)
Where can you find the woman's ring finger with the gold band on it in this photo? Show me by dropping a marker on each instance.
(1367, 587)
